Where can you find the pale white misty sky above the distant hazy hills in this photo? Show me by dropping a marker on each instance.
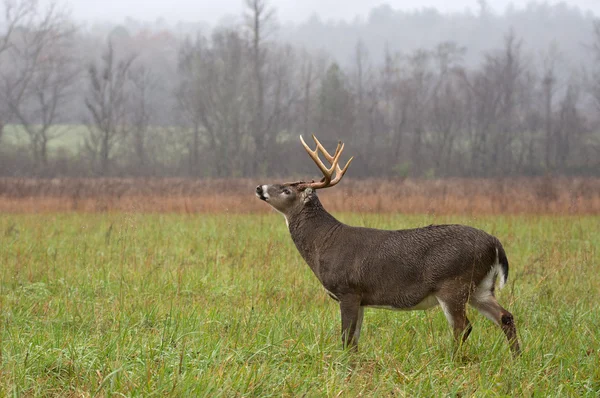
(287, 10)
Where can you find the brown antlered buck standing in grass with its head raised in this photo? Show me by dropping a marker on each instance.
(409, 269)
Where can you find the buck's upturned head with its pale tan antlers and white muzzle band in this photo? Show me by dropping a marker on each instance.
(291, 197)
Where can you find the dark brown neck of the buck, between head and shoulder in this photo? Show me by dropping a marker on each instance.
(313, 230)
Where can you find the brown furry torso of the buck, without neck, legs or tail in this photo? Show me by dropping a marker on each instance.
(413, 262)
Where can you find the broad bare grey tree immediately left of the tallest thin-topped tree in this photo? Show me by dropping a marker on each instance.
(217, 102)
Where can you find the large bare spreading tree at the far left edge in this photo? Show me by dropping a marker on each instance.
(38, 83)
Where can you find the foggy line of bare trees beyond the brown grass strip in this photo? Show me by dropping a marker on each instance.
(231, 103)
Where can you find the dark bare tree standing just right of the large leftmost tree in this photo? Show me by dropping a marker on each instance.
(107, 104)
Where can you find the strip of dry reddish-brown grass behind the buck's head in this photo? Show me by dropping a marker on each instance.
(449, 196)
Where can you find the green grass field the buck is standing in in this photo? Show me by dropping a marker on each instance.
(223, 305)
